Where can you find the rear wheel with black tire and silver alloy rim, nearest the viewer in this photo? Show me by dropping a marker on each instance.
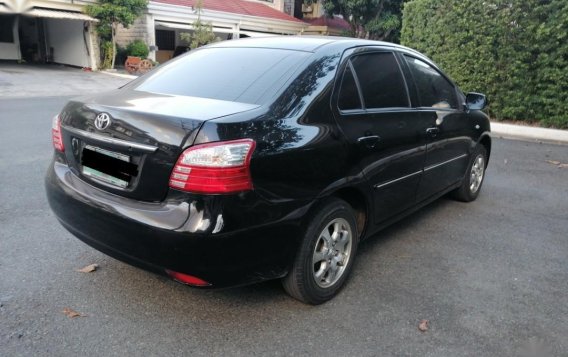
(326, 254)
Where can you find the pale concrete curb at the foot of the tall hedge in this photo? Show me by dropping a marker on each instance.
(529, 133)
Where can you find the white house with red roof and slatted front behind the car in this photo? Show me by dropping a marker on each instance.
(165, 20)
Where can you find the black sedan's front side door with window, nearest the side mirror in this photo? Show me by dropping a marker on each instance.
(449, 141)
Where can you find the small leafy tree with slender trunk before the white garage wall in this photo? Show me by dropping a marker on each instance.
(112, 13)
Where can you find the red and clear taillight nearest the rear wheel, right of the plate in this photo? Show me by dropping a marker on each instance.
(214, 168)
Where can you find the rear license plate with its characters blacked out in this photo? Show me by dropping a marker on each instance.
(108, 166)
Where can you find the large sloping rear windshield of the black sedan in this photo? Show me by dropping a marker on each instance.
(234, 74)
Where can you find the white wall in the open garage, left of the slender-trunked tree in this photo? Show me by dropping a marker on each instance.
(66, 38)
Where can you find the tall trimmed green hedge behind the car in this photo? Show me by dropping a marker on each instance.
(515, 51)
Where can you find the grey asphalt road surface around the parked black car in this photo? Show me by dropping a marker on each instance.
(490, 276)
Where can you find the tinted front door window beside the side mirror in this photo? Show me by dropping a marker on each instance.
(433, 88)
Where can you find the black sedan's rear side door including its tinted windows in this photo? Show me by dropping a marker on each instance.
(373, 108)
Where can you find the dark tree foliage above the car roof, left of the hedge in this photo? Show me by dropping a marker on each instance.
(373, 19)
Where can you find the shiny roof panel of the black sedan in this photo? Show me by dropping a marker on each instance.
(305, 43)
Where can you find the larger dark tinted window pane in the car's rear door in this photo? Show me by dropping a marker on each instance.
(381, 80)
